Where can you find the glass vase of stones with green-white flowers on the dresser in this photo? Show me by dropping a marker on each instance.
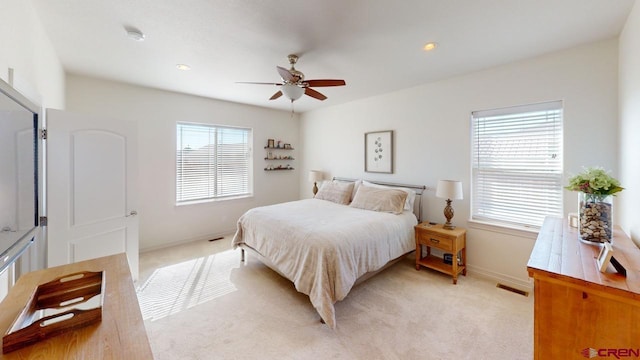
(595, 203)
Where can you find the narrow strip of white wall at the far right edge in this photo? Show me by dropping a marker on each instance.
(629, 147)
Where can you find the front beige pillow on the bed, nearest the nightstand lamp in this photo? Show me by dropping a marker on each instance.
(379, 199)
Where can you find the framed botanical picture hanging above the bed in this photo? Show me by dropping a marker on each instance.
(378, 151)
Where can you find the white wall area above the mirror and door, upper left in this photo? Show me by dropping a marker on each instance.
(38, 74)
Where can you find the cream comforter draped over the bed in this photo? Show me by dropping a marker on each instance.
(323, 247)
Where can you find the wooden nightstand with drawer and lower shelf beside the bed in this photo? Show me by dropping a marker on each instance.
(449, 241)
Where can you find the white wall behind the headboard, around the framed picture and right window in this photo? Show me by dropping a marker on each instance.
(431, 124)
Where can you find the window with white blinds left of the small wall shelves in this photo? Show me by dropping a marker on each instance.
(212, 162)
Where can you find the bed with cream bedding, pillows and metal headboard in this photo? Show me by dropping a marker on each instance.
(326, 244)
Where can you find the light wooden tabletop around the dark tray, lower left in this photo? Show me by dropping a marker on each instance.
(119, 335)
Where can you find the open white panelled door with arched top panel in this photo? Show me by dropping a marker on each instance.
(91, 188)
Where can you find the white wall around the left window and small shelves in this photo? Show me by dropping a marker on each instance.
(162, 223)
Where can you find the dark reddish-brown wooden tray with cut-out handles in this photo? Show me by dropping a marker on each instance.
(66, 303)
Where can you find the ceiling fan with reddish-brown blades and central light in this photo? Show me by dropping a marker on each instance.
(293, 84)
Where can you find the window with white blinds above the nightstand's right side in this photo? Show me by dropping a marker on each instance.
(517, 164)
